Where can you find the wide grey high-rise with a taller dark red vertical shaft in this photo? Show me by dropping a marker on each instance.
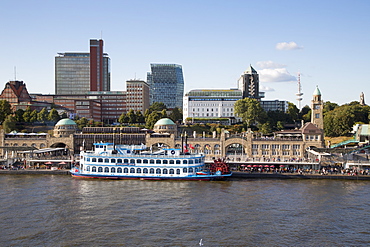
(81, 72)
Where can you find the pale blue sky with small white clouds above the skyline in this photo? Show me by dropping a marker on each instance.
(327, 42)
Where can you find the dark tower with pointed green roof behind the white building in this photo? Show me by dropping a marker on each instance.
(248, 83)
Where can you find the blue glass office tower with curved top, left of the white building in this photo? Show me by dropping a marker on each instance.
(166, 84)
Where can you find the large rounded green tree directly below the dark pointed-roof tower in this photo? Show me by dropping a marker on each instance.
(250, 111)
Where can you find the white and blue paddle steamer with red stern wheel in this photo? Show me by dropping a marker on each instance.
(111, 161)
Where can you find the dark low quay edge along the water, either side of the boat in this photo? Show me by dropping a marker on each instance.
(236, 175)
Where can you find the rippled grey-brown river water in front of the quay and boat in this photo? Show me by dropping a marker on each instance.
(51, 210)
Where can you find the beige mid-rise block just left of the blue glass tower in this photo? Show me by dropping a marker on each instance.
(137, 95)
